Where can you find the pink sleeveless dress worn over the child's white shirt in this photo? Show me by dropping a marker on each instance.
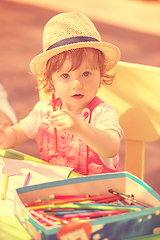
(72, 152)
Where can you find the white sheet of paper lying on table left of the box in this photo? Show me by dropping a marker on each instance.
(17, 171)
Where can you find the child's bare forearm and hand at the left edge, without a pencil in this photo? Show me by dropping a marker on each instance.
(11, 136)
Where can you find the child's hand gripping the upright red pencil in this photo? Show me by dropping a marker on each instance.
(66, 121)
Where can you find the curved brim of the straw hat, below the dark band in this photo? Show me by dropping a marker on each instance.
(110, 51)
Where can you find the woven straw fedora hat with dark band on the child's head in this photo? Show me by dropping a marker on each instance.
(71, 30)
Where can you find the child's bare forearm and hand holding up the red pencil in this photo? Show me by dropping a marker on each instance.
(105, 143)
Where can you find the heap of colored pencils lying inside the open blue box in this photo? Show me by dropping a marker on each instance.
(64, 209)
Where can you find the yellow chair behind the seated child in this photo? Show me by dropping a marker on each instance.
(135, 94)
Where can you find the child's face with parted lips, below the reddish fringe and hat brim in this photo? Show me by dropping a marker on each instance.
(76, 88)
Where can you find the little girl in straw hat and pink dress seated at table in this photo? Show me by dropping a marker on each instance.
(74, 64)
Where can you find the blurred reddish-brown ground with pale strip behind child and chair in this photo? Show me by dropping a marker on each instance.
(133, 26)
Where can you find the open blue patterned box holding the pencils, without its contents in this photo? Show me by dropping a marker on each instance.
(132, 225)
